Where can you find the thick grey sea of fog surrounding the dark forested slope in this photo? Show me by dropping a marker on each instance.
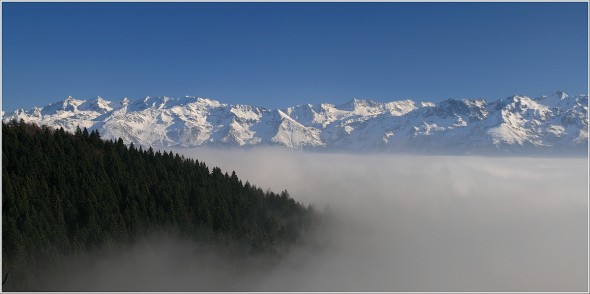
(393, 223)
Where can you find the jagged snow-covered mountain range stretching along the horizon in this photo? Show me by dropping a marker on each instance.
(515, 124)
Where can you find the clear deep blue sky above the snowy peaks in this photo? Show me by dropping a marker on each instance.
(282, 54)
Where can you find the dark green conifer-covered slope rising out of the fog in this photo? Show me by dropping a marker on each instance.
(68, 194)
